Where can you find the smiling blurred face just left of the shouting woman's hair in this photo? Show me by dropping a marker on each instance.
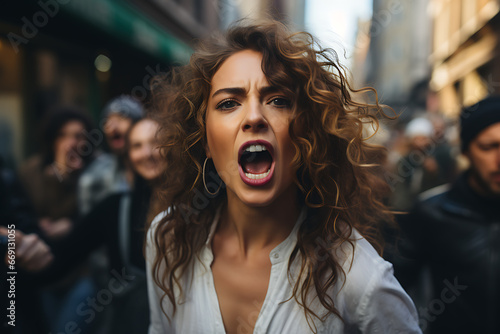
(144, 153)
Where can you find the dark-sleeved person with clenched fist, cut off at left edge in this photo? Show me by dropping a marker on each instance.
(31, 255)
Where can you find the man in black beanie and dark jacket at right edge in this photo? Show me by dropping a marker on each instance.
(454, 231)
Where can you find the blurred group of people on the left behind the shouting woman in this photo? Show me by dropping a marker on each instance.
(79, 213)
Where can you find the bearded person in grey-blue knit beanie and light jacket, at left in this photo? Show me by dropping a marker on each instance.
(109, 172)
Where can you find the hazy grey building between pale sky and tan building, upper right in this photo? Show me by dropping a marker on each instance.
(397, 61)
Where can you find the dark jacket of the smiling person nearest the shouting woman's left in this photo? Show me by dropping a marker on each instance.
(126, 285)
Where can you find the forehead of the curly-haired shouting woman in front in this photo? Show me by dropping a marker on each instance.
(240, 70)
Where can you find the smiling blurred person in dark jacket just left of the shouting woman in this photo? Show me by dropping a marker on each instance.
(118, 222)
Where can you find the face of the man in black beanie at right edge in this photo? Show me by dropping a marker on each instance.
(484, 156)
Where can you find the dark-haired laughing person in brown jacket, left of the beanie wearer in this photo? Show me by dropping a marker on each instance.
(50, 179)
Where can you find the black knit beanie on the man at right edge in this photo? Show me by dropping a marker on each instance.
(477, 117)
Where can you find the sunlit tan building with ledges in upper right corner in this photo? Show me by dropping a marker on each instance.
(465, 56)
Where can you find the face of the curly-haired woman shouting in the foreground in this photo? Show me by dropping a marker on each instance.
(247, 132)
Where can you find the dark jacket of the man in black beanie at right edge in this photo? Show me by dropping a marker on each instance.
(456, 233)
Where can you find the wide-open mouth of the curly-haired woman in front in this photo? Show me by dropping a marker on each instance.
(256, 162)
